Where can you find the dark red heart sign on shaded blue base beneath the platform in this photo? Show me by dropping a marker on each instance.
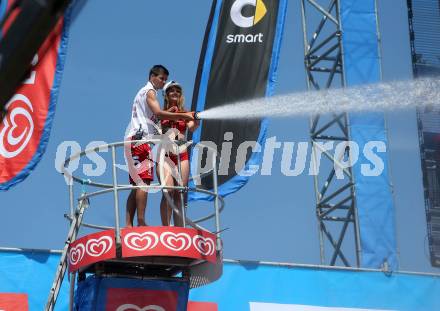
(135, 299)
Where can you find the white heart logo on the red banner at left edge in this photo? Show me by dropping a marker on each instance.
(7, 132)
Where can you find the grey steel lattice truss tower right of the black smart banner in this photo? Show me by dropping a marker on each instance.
(323, 60)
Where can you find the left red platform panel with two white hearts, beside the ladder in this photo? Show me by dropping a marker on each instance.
(92, 248)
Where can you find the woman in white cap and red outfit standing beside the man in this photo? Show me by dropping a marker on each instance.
(168, 167)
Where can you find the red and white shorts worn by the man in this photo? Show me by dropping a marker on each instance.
(140, 165)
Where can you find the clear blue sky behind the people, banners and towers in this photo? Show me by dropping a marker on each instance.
(112, 46)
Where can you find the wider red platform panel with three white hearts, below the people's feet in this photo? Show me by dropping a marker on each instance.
(168, 241)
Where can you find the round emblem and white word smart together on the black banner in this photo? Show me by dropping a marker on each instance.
(242, 21)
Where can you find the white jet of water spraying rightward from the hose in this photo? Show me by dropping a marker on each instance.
(373, 97)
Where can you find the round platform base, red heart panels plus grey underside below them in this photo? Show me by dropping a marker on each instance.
(151, 248)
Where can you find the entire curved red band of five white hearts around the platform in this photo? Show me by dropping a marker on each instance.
(141, 242)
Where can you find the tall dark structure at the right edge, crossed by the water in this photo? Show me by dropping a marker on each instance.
(424, 23)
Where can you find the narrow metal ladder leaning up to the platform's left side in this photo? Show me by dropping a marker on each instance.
(62, 266)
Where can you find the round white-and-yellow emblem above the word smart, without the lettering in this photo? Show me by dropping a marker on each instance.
(244, 21)
